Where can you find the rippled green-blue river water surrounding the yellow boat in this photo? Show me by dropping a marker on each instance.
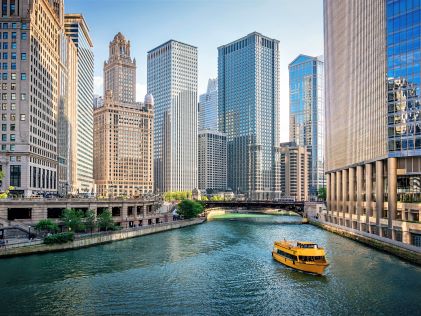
(221, 267)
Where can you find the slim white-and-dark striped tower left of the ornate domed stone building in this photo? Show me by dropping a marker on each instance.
(82, 157)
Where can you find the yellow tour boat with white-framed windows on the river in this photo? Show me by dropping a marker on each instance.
(303, 256)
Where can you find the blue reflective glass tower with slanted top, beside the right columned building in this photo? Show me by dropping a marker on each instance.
(306, 113)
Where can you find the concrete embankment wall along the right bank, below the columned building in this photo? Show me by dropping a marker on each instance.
(408, 254)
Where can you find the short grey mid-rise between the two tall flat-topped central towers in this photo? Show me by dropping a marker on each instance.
(212, 160)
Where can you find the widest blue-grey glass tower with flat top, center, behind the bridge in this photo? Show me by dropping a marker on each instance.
(248, 102)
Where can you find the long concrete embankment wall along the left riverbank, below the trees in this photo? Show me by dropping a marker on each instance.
(98, 239)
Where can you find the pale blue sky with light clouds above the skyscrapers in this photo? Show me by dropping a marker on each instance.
(206, 24)
